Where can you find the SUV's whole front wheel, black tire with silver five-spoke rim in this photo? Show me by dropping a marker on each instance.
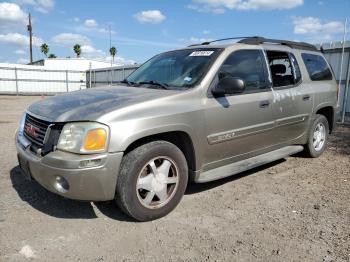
(152, 180)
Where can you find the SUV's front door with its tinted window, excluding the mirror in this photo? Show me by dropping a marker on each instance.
(239, 125)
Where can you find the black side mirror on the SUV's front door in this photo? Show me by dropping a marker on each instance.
(229, 85)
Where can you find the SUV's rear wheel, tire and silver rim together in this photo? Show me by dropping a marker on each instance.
(317, 137)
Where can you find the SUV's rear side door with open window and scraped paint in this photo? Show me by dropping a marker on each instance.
(292, 100)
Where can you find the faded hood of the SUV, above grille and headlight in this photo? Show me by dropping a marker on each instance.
(90, 104)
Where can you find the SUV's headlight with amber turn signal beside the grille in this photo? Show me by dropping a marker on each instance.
(84, 138)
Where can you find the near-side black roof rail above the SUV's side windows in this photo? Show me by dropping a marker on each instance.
(257, 40)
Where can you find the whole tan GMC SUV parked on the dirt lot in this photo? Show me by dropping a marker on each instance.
(195, 114)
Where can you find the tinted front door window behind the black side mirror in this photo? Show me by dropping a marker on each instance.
(248, 65)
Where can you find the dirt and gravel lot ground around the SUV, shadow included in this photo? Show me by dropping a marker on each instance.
(296, 209)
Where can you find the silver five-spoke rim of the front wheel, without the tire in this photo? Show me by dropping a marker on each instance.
(157, 182)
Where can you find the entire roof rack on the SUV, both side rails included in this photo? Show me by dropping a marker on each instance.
(257, 40)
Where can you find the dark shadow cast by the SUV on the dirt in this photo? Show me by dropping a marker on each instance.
(57, 206)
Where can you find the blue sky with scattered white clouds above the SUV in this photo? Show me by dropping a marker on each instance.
(140, 29)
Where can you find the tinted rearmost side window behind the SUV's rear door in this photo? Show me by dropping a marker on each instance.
(317, 67)
